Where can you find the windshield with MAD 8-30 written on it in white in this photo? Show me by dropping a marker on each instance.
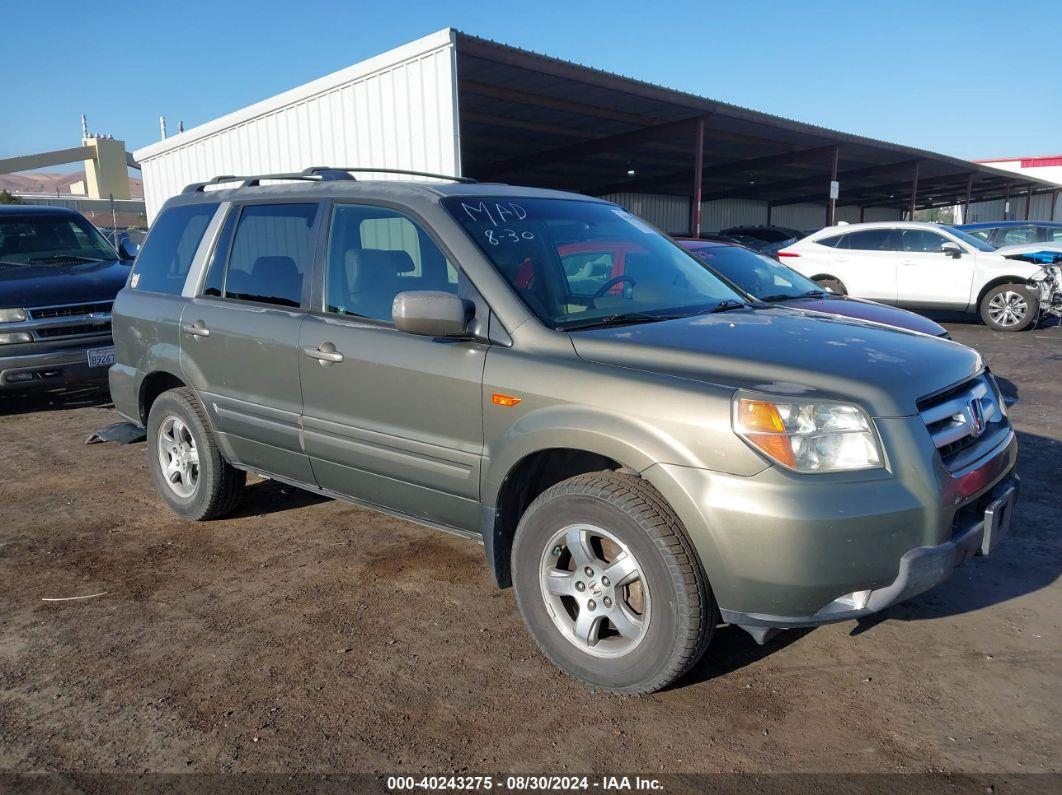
(577, 265)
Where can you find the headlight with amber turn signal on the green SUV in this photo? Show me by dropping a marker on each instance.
(808, 437)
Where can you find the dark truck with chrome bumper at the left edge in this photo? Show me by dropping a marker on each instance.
(59, 278)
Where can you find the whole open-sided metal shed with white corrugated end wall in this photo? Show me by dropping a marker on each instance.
(455, 103)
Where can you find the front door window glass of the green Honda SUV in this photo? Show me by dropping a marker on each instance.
(374, 254)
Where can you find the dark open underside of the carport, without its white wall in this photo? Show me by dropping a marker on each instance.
(533, 119)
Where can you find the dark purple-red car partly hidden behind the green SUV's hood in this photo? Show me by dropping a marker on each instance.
(774, 283)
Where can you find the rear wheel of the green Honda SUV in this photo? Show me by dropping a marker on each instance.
(183, 454)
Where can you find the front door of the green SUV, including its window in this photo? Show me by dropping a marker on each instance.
(390, 419)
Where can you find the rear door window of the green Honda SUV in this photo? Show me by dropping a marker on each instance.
(272, 250)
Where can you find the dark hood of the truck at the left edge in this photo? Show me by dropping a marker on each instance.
(41, 286)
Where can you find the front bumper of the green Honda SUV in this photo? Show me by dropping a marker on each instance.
(783, 550)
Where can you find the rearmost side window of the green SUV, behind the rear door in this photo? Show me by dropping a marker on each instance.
(163, 264)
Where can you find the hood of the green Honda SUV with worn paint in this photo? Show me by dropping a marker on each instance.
(791, 353)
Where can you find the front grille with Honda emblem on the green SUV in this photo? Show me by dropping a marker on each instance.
(963, 419)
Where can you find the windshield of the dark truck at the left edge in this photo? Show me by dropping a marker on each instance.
(48, 240)
